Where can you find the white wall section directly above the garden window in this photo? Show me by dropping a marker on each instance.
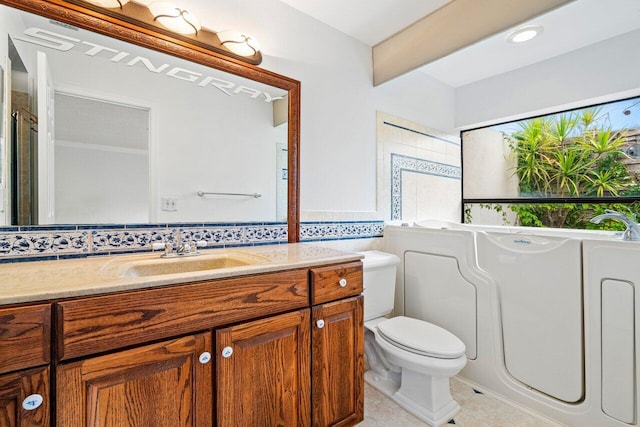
(601, 72)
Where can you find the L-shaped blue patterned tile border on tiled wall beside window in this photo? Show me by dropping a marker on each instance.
(401, 163)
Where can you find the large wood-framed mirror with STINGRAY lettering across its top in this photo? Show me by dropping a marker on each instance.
(123, 125)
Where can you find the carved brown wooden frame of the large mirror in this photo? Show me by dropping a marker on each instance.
(94, 20)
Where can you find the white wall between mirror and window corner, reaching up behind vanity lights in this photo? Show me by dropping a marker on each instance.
(339, 102)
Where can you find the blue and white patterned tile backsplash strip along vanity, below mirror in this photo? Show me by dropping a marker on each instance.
(35, 243)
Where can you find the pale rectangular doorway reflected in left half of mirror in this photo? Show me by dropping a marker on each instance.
(94, 135)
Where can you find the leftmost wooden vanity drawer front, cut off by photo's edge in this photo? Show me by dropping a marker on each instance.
(25, 336)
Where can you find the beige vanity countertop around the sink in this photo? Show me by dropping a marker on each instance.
(47, 280)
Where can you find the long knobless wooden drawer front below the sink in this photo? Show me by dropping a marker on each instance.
(102, 323)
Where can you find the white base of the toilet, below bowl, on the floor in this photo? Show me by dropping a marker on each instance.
(427, 397)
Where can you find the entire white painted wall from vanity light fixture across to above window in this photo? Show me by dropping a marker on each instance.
(339, 102)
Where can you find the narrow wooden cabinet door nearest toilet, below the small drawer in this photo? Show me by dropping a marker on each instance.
(338, 363)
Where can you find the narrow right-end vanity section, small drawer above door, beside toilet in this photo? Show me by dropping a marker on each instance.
(337, 378)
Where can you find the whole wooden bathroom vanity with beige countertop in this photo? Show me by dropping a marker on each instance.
(277, 342)
